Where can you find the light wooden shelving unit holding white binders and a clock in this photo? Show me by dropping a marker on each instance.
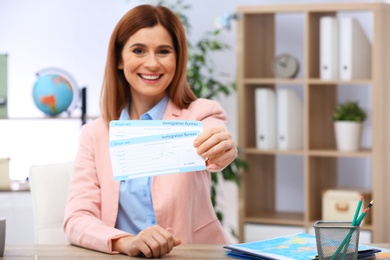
(257, 46)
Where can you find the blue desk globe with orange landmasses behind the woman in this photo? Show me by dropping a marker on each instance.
(54, 91)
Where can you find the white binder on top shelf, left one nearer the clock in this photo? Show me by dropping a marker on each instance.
(329, 48)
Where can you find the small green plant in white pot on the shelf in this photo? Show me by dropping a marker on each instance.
(348, 120)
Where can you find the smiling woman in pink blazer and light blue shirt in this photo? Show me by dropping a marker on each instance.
(145, 79)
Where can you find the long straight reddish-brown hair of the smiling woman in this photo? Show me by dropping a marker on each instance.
(115, 92)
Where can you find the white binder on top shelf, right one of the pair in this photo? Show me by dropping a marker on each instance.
(355, 50)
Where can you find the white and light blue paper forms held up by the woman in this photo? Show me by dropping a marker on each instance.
(153, 147)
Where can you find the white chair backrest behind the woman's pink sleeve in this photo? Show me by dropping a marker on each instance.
(49, 187)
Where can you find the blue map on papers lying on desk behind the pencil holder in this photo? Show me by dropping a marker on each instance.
(292, 247)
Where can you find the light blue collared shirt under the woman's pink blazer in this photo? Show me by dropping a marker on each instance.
(136, 211)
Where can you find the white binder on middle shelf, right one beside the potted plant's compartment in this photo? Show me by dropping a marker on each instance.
(289, 120)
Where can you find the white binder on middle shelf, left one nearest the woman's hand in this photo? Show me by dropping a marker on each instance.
(265, 118)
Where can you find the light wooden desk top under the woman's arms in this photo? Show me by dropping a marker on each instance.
(68, 252)
